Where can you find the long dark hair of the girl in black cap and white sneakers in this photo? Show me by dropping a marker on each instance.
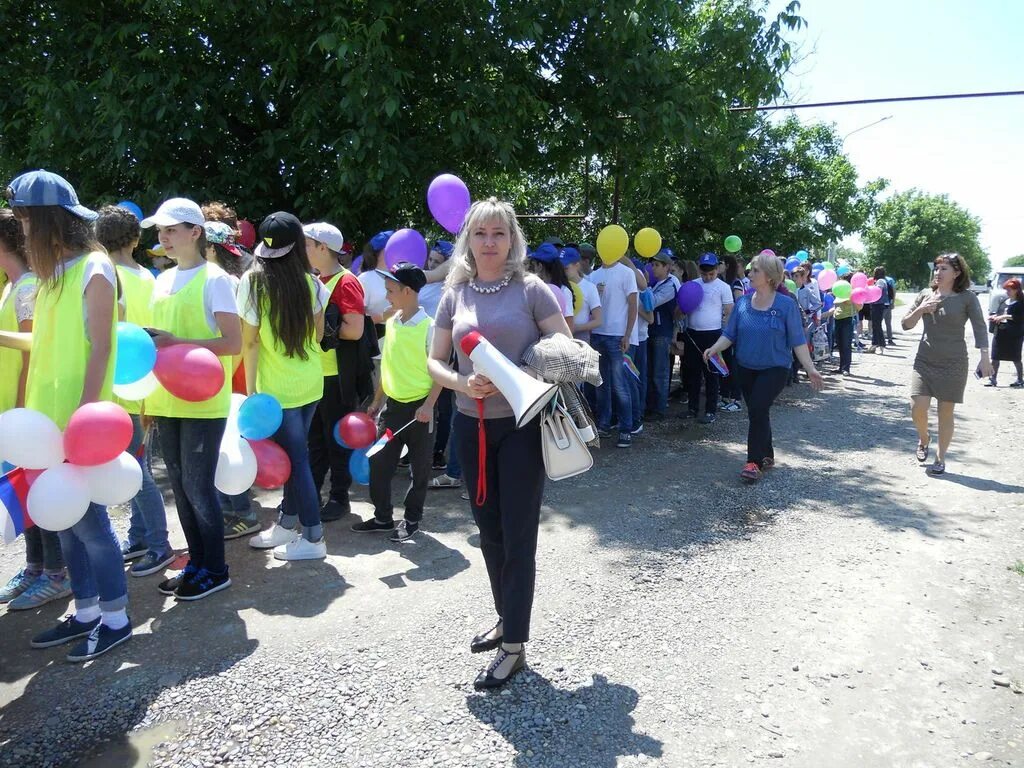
(284, 283)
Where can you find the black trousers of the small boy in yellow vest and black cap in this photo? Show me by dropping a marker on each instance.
(382, 466)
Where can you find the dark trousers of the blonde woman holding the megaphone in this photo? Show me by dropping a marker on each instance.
(510, 517)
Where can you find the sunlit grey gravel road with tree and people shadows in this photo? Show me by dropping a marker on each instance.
(847, 612)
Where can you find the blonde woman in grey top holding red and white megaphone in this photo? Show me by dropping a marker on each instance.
(492, 312)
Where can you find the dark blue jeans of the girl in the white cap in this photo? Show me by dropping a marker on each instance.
(191, 449)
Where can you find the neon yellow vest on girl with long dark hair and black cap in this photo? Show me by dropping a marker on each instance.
(295, 382)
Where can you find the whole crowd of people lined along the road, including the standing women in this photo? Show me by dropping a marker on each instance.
(291, 311)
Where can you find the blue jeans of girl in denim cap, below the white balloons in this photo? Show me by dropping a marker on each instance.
(95, 562)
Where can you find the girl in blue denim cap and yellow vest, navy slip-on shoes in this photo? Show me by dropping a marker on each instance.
(71, 365)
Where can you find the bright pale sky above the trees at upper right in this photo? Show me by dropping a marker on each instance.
(971, 150)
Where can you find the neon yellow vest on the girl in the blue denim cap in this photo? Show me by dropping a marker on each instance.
(61, 347)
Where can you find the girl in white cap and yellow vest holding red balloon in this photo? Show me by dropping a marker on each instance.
(194, 305)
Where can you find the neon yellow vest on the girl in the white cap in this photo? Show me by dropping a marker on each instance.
(184, 315)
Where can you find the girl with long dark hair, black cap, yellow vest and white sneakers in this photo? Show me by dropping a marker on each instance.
(282, 307)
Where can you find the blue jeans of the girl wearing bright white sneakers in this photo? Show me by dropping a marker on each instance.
(302, 501)
